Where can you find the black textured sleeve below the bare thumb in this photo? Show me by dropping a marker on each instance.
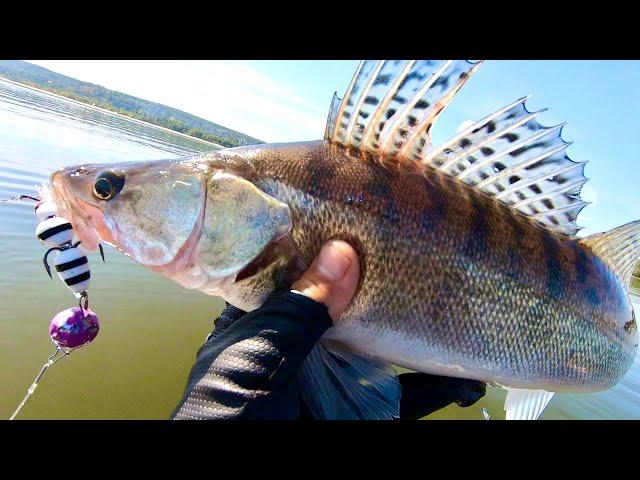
(248, 367)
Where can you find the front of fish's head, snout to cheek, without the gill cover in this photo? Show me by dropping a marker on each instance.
(147, 210)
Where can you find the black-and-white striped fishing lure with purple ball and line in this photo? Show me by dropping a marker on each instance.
(77, 326)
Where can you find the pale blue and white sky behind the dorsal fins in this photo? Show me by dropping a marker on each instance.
(281, 101)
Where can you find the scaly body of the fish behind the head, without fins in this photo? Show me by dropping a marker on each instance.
(453, 282)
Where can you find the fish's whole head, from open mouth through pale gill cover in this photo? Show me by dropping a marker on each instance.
(199, 223)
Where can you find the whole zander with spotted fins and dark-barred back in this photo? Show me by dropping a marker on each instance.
(471, 265)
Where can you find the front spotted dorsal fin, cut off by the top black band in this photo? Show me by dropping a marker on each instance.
(390, 106)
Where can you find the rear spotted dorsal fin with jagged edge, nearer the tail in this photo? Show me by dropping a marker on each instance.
(513, 158)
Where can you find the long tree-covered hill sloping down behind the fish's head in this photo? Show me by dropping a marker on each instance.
(162, 115)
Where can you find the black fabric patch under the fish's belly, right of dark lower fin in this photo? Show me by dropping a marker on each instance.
(423, 394)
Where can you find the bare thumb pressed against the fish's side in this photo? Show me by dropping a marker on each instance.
(332, 278)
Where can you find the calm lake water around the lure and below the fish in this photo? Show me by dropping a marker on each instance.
(150, 327)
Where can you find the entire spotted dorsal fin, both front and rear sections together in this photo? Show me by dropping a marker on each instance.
(390, 107)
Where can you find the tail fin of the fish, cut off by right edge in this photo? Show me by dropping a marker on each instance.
(619, 248)
